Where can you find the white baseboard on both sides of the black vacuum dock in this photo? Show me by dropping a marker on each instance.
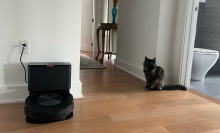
(18, 94)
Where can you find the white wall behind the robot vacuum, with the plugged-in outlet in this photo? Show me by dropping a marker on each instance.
(53, 28)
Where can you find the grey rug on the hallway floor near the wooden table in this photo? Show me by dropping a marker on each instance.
(87, 62)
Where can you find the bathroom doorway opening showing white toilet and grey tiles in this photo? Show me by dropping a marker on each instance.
(205, 74)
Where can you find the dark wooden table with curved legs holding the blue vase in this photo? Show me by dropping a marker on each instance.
(105, 27)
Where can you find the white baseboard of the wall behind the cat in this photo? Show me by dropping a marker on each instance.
(137, 72)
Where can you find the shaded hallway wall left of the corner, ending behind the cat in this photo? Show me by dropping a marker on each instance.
(137, 34)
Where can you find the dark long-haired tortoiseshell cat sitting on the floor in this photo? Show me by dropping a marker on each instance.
(155, 77)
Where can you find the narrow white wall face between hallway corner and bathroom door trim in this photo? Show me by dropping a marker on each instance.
(166, 36)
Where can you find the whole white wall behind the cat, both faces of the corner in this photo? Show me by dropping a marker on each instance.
(146, 28)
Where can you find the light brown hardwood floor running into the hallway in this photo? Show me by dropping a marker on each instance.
(115, 101)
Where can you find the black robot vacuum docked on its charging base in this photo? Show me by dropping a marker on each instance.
(49, 99)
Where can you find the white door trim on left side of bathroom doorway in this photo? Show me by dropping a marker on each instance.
(184, 41)
